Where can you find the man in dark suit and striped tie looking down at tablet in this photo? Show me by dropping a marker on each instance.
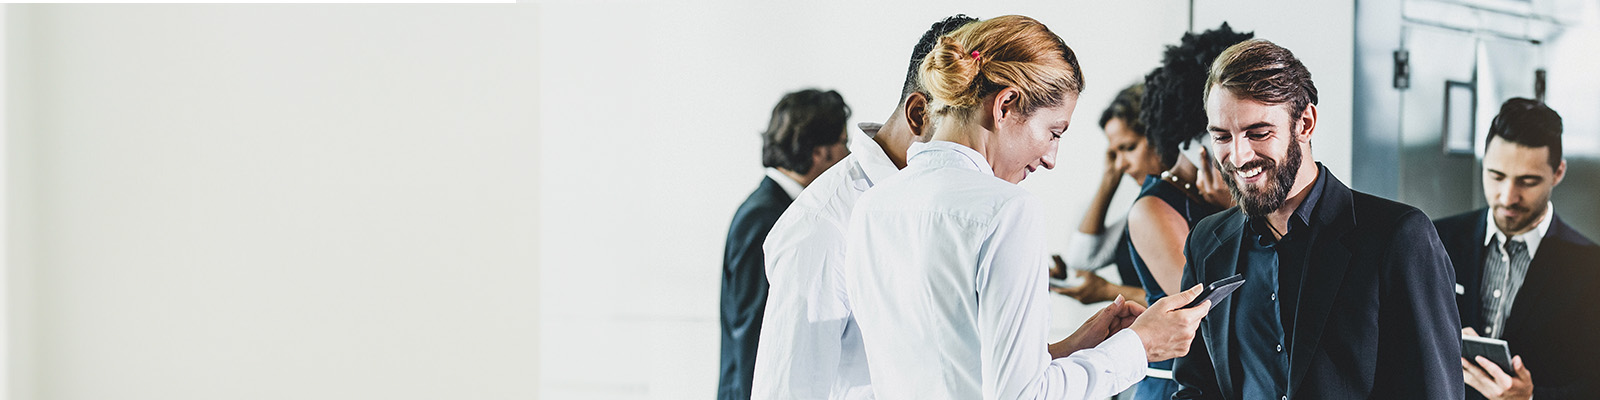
(1527, 279)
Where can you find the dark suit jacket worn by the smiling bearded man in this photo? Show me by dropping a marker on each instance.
(1375, 316)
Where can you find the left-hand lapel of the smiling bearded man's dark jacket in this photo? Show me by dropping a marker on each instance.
(1223, 262)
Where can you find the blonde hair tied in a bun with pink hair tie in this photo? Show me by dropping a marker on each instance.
(986, 57)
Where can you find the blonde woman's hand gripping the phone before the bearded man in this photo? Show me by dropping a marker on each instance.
(1166, 330)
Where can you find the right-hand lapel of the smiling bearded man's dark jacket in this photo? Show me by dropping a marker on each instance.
(1322, 276)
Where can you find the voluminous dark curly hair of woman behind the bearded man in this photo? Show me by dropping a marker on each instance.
(1174, 108)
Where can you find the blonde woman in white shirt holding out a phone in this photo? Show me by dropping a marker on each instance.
(946, 262)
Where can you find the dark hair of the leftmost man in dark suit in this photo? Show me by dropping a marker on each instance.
(802, 122)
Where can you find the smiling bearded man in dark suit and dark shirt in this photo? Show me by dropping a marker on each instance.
(1346, 295)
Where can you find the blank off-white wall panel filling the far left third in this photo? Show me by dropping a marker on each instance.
(273, 202)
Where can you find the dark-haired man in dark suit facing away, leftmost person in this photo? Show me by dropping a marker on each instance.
(804, 138)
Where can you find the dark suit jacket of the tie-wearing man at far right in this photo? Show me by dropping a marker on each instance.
(1553, 321)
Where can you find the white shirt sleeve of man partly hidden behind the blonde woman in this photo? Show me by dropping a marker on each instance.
(806, 314)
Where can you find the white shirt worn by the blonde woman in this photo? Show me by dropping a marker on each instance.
(946, 271)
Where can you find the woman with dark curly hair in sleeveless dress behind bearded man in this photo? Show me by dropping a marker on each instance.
(1186, 188)
